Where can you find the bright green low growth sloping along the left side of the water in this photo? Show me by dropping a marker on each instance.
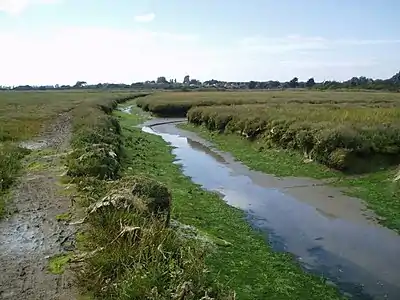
(247, 265)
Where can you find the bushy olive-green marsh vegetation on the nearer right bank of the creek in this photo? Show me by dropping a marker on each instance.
(341, 137)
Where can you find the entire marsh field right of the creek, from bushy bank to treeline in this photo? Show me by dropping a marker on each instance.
(338, 129)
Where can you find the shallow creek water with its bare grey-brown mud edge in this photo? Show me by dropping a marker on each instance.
(331, 234)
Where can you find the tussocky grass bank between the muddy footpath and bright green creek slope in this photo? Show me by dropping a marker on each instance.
(129, 252)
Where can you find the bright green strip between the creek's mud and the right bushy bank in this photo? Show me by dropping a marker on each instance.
(378, 189)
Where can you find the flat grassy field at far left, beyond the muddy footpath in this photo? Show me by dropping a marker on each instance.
(23, 115)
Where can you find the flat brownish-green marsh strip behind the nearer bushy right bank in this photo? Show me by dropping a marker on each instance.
(178, 104)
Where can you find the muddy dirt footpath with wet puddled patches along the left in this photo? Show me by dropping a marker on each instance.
(31, 235)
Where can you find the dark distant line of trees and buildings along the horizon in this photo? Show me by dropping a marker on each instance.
(391, 84)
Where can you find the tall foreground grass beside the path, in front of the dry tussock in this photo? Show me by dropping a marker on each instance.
(151, 262)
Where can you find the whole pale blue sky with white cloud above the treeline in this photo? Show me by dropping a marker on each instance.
(63, 41)
